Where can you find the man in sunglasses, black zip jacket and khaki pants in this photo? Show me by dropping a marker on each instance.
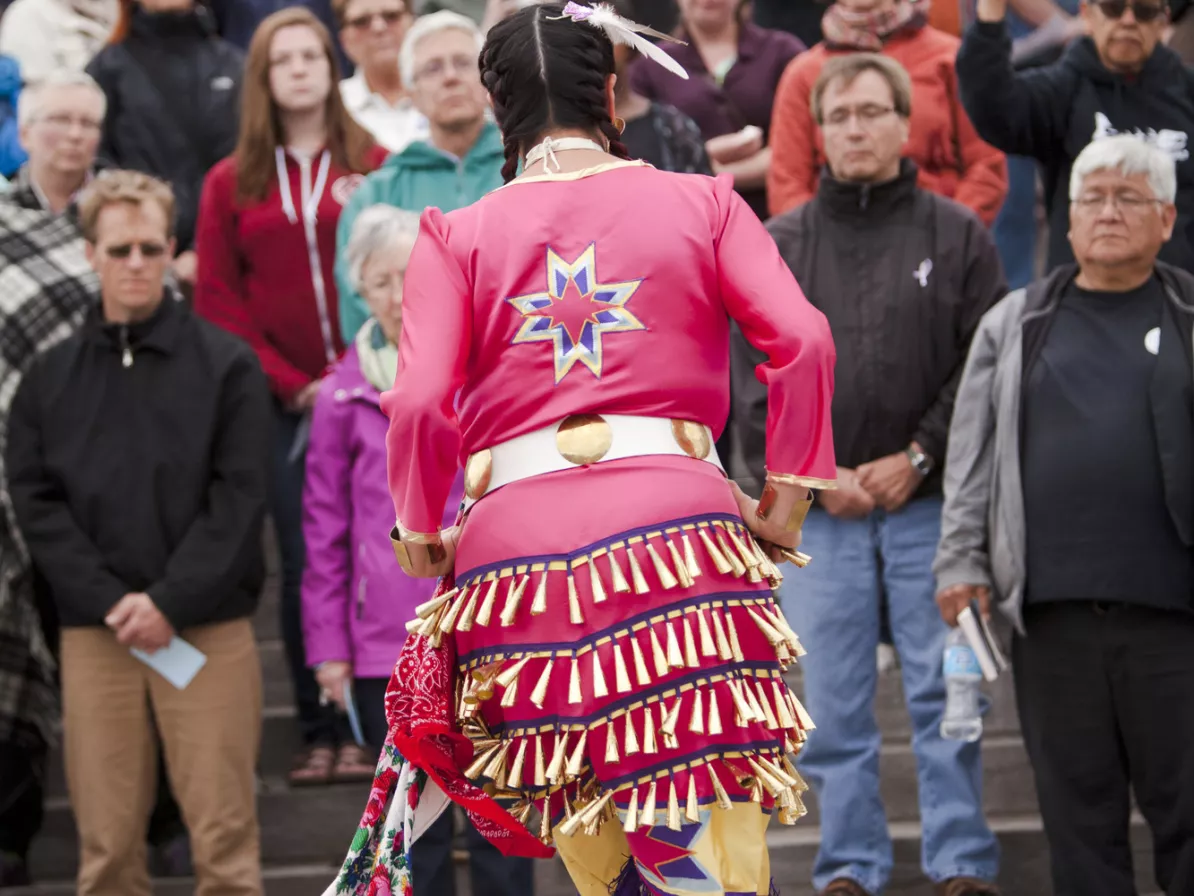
(138, 459)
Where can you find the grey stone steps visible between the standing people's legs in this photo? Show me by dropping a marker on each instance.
(305, 833)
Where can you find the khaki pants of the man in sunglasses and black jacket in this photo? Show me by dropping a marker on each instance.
(211, 734)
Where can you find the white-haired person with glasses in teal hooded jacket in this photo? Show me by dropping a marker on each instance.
(461, 159)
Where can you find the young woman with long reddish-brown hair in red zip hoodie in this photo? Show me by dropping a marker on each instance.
(267, 241)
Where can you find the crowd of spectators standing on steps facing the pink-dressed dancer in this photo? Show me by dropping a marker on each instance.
(202, 250)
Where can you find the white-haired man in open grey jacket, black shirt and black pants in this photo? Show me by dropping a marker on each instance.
(1070, 510)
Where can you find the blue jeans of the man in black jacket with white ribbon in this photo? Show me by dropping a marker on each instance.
(835, 607)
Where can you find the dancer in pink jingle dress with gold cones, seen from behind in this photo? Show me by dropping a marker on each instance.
(618, 650)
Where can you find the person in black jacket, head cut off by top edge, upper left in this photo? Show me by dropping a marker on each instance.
(173, 89)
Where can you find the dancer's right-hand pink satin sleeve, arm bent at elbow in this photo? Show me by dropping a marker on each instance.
(766, 300)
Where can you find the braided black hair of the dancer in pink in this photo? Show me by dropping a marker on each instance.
(546, 72)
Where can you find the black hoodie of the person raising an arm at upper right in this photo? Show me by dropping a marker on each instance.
(1051, 114)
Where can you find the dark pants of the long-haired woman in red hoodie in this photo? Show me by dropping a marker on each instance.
(317, 725)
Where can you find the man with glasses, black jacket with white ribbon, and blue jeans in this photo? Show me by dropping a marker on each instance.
(904, 278)
